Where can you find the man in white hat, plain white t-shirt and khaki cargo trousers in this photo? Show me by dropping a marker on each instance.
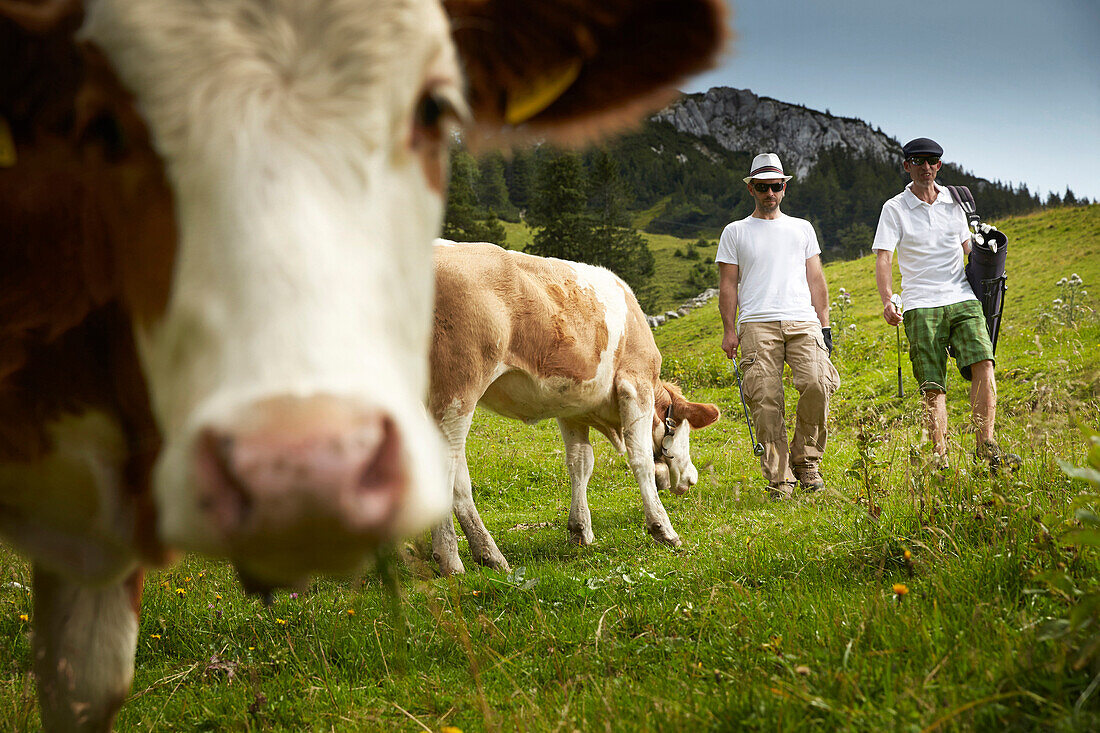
(775, 303)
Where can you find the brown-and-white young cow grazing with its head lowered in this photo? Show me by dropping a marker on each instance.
(534, 338)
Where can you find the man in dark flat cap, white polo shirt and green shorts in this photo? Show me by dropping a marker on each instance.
(930, 233)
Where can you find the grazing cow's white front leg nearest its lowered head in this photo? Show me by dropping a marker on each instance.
(636, 411)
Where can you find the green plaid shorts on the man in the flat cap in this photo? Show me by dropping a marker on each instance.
(930, 333)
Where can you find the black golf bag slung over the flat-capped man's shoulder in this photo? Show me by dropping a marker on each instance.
(985, 268)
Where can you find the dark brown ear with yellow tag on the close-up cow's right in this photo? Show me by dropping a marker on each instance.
(573, 70)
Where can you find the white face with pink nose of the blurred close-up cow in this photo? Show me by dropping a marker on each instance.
(305, 149)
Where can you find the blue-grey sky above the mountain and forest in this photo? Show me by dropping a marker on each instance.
(1011, 90)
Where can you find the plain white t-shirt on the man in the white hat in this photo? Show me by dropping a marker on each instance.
(772, 257)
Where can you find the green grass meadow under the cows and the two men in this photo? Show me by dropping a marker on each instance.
(898, 599)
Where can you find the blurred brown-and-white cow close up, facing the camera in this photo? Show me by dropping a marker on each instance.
(216, 223)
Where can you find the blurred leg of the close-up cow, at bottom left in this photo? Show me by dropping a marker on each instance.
(85, 641)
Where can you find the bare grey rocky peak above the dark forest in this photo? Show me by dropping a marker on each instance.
(742, 122)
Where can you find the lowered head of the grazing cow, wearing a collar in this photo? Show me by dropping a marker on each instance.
(674, 421)
